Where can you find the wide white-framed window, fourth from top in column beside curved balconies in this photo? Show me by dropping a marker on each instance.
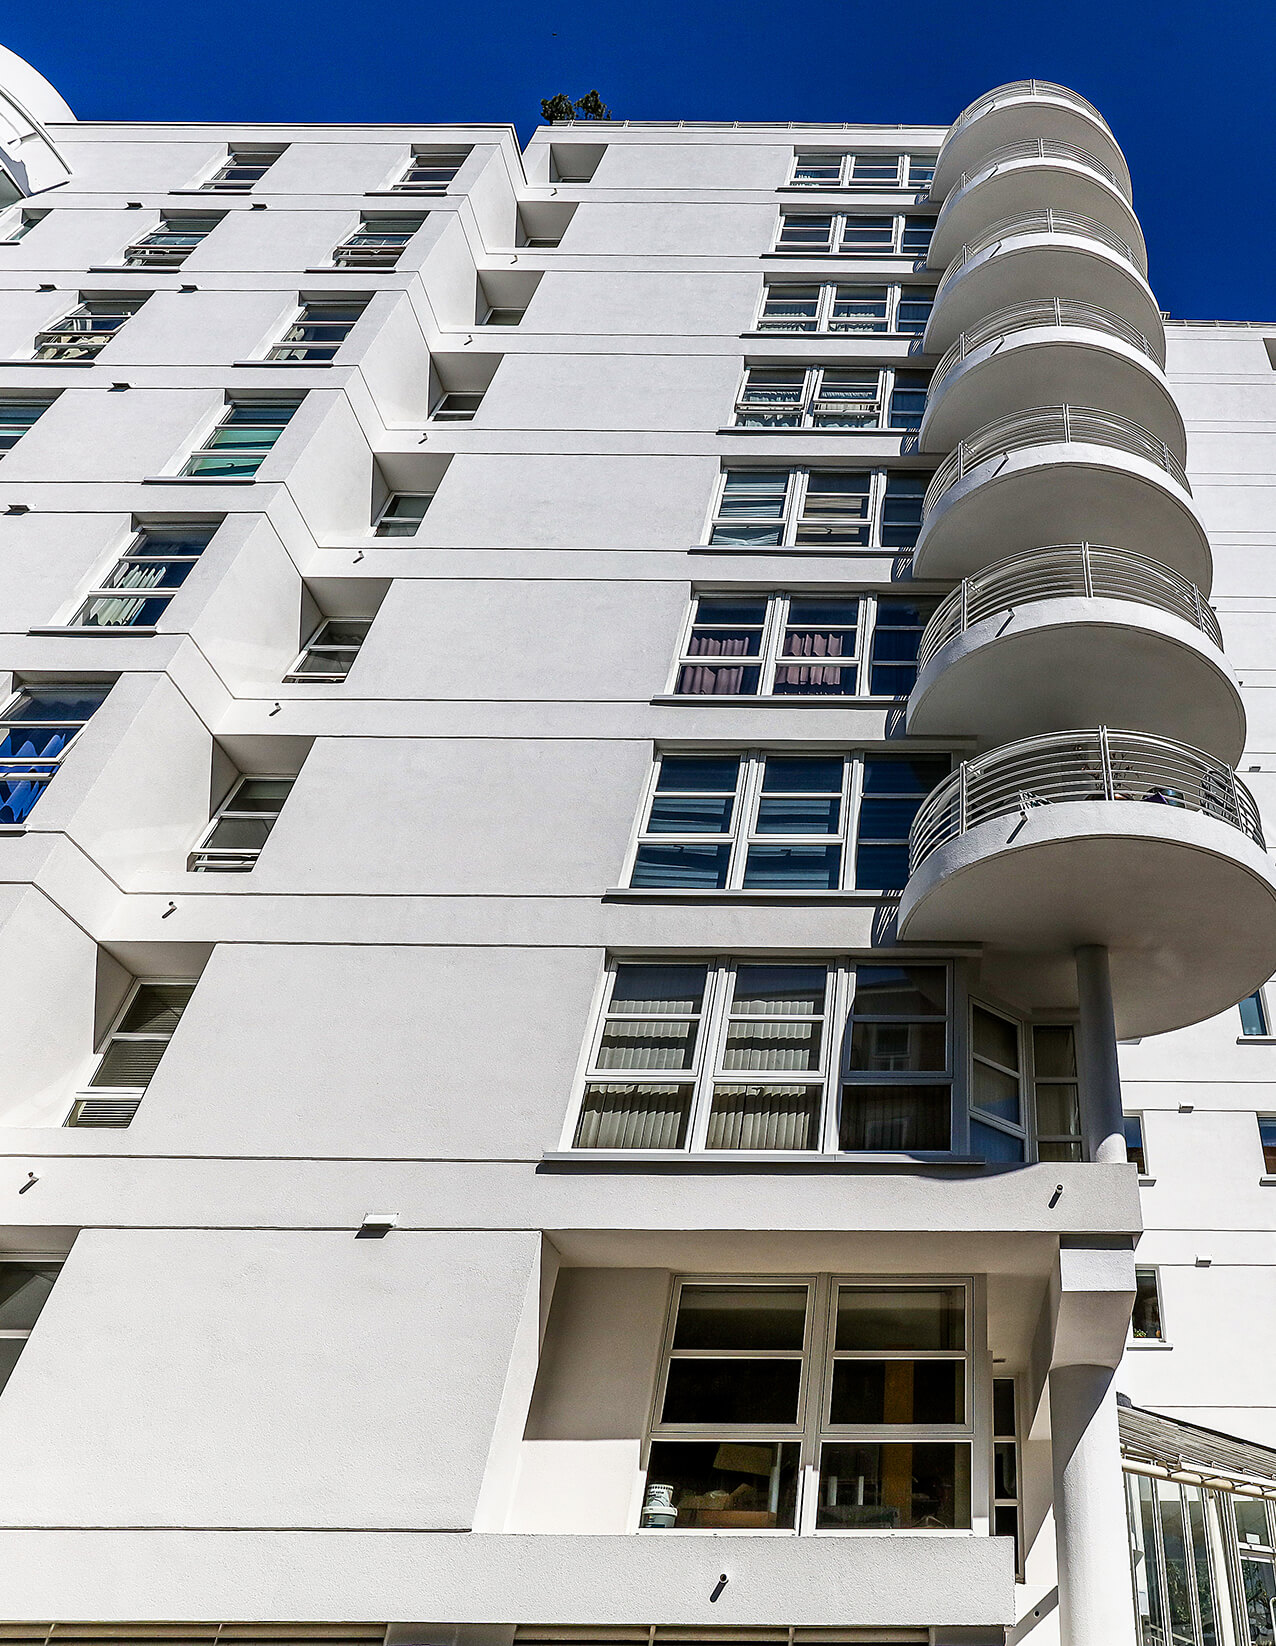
(832, 398)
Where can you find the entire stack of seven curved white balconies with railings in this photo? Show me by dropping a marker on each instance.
(1078, 648)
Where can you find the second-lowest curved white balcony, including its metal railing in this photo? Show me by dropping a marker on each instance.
(1078, 636)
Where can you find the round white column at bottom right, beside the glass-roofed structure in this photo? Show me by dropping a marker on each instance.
(1096, 1594)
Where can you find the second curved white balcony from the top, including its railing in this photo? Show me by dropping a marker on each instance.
(1030, 177)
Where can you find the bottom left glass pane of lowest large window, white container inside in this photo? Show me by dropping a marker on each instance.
(722, 1484)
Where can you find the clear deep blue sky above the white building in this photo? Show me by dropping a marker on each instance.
(1188, 88)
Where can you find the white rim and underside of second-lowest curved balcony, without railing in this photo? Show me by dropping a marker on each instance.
(1055, 664)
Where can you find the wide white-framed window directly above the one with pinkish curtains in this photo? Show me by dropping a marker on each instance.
(819, 509)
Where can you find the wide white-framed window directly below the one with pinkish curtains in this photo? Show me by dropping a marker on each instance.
(783, 822)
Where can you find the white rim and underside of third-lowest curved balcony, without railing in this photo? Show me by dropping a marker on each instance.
(1063, 495)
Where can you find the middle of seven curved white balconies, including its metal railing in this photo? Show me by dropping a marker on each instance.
(1086, 355)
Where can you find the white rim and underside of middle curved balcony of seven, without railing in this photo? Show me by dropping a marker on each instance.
(1074, 365)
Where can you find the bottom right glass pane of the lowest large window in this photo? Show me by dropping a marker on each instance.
(895, 1486)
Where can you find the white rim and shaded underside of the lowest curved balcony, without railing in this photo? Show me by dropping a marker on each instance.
(1185, 903)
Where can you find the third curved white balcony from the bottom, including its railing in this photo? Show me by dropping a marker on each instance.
(1068, 475)
